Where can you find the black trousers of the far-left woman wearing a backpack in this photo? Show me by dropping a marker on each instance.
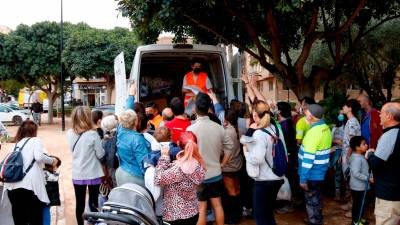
(27, 209)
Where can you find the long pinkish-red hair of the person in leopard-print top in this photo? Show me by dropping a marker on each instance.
(188, 142)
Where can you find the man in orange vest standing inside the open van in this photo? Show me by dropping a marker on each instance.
(195, 81)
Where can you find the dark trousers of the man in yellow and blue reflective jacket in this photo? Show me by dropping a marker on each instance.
(314, 202)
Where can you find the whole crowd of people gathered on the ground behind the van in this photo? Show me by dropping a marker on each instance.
(223, 163)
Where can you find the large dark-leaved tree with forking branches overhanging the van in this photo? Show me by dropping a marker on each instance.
(280, 34)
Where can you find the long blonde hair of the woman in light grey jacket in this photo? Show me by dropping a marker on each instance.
(81, 119)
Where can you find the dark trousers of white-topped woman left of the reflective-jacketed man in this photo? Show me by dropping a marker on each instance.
(264, 199)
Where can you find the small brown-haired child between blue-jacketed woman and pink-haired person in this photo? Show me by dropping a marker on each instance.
(163, 137)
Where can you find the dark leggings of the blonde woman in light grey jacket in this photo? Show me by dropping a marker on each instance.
(80, 196)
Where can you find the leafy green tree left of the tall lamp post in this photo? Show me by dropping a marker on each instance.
(31, 54)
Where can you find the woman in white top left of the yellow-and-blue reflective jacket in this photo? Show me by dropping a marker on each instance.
(258, 150)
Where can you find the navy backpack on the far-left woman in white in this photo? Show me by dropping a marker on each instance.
(12, 167)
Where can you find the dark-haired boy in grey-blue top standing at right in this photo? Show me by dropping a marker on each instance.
(359, 177)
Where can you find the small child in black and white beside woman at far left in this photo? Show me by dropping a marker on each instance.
(52, 176)
